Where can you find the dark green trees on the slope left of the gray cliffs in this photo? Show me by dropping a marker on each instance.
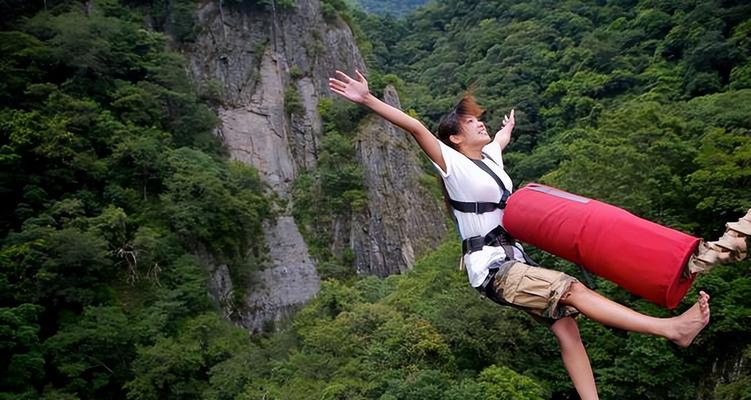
(113, 185)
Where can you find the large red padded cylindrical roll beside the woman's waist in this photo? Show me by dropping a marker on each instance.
(643, 257)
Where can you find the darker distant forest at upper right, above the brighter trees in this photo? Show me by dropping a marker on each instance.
(561, 63)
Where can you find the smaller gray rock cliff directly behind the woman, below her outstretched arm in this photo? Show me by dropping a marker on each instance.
(403, 219)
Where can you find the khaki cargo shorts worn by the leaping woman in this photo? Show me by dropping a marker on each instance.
(535, 290)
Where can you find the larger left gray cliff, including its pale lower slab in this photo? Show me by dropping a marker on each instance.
(268, 68)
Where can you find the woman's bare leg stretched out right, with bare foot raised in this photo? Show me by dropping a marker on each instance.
(681, 329)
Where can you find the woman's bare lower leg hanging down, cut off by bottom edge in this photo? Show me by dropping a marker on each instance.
(575, 358)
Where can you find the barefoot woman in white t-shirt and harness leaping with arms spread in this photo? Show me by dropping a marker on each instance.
(471, 166)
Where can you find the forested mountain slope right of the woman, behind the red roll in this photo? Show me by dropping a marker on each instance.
(644, 104)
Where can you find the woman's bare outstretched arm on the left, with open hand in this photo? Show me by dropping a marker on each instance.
(356, 90)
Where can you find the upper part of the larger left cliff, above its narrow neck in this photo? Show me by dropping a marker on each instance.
(259, 61)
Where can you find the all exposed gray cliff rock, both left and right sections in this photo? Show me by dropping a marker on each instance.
(269, 68)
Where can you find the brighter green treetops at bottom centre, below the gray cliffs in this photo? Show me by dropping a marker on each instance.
(382, 339)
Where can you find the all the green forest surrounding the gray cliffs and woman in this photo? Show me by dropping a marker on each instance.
(115, 191)
